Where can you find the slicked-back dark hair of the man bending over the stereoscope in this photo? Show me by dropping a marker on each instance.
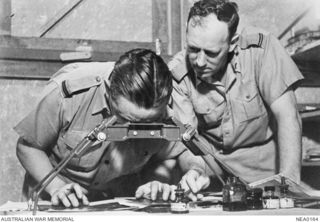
(143, 78)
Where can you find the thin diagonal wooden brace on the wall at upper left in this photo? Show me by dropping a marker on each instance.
(58, 17)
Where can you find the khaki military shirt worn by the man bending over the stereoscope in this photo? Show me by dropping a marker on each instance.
(72, 104)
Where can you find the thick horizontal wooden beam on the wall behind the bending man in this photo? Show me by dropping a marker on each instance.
(36, 58)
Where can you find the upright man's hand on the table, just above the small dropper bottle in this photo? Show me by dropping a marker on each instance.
(193, 182)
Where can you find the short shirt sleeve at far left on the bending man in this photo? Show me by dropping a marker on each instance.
(40, 128)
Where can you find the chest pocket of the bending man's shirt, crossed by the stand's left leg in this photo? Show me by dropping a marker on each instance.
(86, 160)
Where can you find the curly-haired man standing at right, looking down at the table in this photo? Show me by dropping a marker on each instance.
(238, 91)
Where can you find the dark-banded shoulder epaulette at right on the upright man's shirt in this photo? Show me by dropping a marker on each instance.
(257, 40)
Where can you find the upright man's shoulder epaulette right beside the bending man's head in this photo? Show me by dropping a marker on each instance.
(178, 66)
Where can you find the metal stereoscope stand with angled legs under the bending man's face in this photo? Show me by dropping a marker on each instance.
(107, 131)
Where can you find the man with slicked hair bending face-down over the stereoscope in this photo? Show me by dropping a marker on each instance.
(79, 97)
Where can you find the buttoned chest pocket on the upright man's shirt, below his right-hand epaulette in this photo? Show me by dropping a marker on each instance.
(248, 104)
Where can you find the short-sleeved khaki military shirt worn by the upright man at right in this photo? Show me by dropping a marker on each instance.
(234, 113)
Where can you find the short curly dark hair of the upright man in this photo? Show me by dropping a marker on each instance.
(224, 10)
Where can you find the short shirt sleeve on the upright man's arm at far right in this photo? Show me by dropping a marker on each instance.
(278, 71)
